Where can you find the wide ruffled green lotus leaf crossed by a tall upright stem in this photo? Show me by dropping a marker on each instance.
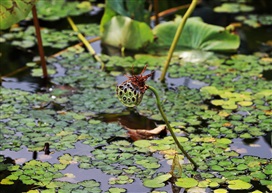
(197, 35)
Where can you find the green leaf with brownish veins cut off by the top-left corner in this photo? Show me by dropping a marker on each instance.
(12, 11)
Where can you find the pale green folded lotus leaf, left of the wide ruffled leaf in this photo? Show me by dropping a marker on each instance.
(124, 32)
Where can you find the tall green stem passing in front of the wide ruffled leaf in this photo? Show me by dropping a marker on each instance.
(176, 38)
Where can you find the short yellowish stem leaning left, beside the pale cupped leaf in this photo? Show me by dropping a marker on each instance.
(86, 43)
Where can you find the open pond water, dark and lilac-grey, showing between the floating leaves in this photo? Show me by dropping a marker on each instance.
(18, 76)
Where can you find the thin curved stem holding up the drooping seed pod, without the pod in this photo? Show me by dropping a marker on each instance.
(169, 127)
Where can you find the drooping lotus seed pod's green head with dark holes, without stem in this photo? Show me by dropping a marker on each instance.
(129, 94)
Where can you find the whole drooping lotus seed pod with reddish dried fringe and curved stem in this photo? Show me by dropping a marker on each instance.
(131, 92)
